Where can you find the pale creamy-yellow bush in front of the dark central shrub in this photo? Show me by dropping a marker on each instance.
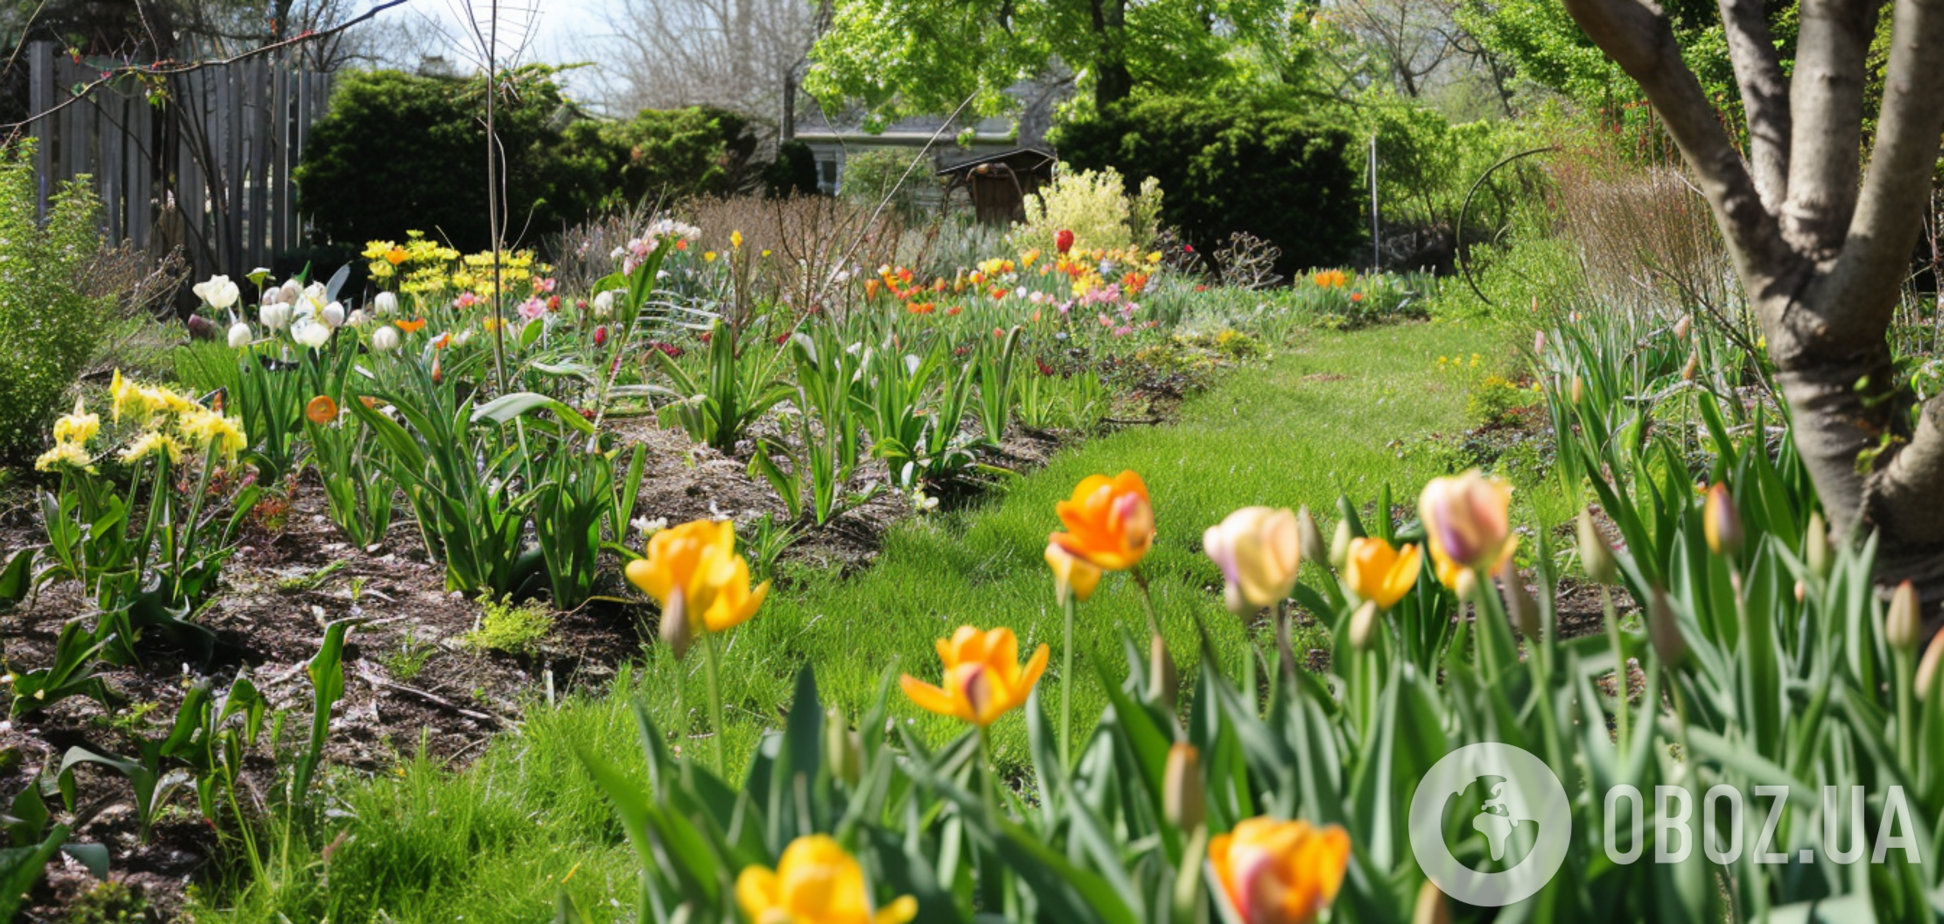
(1103, 211)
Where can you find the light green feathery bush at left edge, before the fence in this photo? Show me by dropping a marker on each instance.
(50, 326)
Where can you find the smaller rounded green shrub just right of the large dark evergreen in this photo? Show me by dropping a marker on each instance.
(668, 155)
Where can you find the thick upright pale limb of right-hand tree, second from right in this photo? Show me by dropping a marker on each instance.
(1828, 124)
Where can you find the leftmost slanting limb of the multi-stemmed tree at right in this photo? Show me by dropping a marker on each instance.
(1636, 34)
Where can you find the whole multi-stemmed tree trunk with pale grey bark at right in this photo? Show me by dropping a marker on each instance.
(1822, 246)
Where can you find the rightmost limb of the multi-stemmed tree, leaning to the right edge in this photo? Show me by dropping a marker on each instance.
(1894, 195)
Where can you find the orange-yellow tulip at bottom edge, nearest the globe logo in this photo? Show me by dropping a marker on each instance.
(1280, 872)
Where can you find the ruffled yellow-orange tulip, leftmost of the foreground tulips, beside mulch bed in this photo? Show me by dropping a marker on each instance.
(693, 571)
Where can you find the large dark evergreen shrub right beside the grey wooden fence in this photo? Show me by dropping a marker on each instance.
(403, 151)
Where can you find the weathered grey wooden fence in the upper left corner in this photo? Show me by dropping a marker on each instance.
(207, 170)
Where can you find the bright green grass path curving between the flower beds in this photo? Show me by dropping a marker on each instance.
(499, 841)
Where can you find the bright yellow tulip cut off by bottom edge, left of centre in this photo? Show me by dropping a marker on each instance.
(816, 884)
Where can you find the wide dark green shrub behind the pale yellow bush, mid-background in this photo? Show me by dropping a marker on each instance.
(1230, 168)
